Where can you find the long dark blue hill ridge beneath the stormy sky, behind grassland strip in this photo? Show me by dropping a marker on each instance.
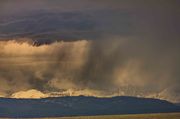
(81, 105)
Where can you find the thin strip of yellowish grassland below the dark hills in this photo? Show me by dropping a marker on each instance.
(133, 116)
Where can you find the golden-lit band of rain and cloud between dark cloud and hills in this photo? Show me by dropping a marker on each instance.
(86, 67)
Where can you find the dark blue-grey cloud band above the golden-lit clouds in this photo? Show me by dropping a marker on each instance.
(47, 27)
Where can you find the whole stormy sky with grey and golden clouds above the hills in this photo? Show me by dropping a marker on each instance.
(98, 48)
